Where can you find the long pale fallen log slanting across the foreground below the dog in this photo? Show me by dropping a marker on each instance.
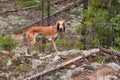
(63, 65)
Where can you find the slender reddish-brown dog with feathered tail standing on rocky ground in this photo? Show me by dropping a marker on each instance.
(49, 31)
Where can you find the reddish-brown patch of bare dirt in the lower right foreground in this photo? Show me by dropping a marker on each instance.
(96, 73)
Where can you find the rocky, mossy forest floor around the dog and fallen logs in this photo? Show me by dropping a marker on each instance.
(15, 66)
